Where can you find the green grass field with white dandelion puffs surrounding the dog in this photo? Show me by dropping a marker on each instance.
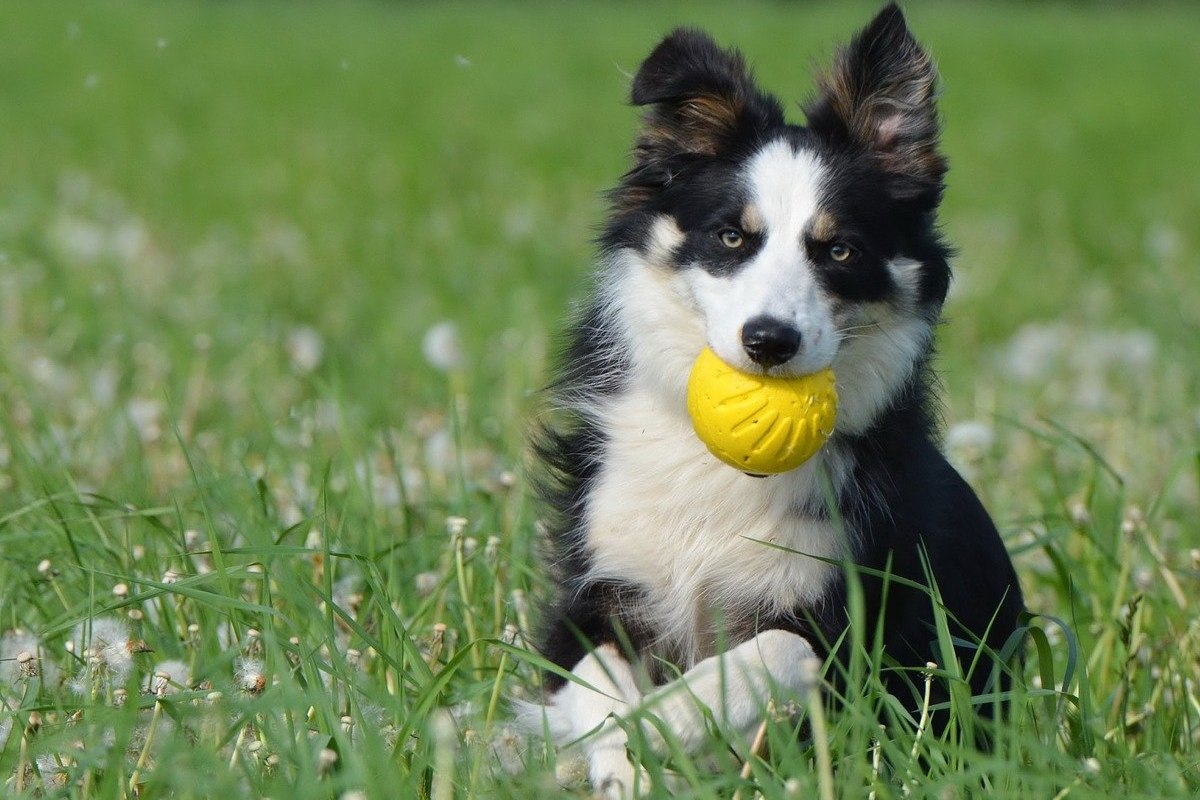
(279, 282)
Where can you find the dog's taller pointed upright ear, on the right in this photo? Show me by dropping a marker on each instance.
(879, 97)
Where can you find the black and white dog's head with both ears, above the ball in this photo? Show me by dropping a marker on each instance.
(793, 248)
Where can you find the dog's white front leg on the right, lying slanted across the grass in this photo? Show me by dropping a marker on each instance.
(735, 687)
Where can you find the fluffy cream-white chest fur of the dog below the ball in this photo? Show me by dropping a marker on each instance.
(692, 533)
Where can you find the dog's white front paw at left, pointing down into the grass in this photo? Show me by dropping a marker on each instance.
(585, 714)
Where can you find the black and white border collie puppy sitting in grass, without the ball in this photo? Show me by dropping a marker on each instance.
(686, 587)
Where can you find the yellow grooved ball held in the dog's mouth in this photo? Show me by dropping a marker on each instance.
(760, 424)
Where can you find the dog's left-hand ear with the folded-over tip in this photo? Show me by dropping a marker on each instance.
(701, 98)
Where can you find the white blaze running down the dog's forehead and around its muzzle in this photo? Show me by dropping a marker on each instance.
(778, 281)
